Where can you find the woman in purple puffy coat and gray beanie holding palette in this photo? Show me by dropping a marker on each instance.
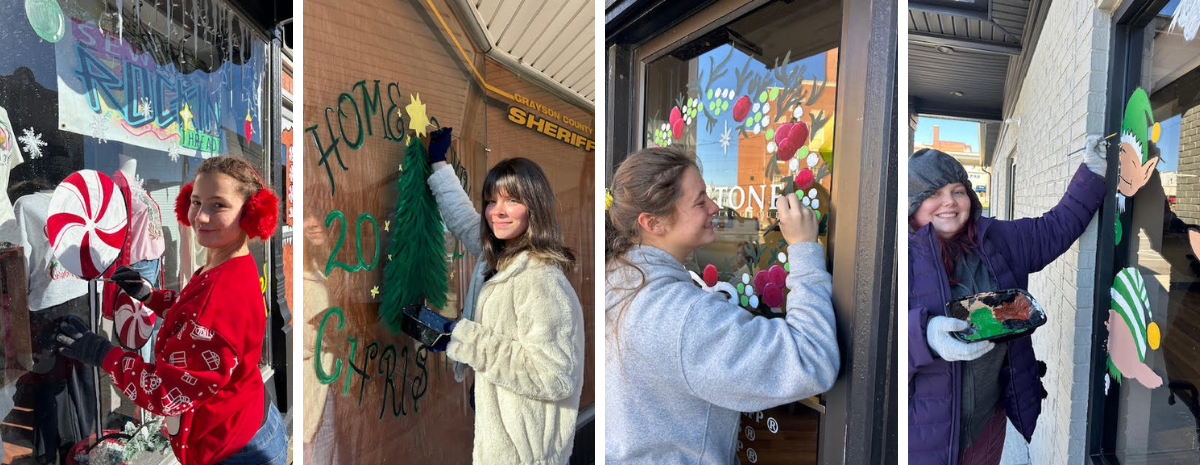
(961, 394)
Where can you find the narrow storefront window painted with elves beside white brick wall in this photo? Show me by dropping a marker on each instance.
(1153, 395)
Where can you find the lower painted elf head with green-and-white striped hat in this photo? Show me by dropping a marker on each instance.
(1132, 334)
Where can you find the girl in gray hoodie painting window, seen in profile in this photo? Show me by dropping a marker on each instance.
(681, 364)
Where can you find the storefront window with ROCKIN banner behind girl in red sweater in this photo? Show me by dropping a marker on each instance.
(141, 93)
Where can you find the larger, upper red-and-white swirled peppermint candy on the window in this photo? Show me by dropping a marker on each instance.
(88, 224)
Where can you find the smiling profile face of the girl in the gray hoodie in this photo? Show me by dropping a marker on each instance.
(692, 226)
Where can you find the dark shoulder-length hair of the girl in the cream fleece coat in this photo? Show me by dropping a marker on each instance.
(521, 179)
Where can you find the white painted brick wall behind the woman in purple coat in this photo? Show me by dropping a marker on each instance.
(1061, 102)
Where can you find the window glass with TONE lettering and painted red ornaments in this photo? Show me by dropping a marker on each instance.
(755, 101)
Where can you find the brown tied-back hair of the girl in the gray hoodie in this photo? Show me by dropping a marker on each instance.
(649, 182)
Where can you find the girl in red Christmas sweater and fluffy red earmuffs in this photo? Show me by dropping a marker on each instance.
(205, 378)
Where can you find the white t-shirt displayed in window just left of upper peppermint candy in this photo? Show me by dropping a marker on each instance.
(50, 283)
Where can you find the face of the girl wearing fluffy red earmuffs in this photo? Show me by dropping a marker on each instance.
(215, 212)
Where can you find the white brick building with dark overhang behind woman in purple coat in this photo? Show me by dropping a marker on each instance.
(1047, 76)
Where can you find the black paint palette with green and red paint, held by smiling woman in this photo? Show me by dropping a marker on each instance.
(998, 316)
